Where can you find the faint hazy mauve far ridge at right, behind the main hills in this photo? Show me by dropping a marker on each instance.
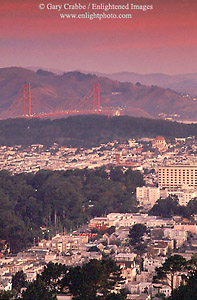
(181, 83)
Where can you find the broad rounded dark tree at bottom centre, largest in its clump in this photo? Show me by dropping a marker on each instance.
(94, 280)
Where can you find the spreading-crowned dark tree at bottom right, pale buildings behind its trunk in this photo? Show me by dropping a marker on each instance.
(173, 265)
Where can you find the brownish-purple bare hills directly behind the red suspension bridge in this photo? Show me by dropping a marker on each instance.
(52, 92)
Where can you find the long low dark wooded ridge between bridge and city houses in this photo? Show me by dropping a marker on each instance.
(88, 130)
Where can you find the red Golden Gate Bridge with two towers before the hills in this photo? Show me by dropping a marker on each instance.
(23, 103)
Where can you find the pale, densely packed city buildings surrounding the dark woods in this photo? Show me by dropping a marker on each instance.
(161, 162)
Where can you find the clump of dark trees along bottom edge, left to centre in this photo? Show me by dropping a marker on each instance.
(94, 280)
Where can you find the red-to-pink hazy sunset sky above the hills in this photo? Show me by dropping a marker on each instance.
(162, 40)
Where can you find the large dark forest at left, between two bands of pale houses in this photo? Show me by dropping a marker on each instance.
(60, 200)
